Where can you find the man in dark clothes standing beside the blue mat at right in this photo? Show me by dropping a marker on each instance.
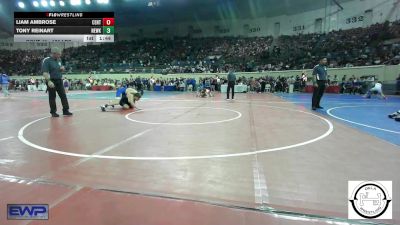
(320, 76)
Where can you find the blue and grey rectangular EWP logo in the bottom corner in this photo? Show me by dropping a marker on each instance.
(27, 211)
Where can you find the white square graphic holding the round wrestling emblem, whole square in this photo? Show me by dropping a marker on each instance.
(370, 200)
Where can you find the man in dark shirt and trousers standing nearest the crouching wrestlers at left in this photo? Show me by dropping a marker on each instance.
(51, 68)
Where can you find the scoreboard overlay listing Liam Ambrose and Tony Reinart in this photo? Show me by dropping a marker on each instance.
(64, 26)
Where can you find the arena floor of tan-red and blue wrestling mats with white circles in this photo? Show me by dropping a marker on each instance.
(262, 158)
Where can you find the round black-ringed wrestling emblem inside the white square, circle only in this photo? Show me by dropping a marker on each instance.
(370, 199)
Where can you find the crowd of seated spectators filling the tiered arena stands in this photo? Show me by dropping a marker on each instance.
(345, 48)
